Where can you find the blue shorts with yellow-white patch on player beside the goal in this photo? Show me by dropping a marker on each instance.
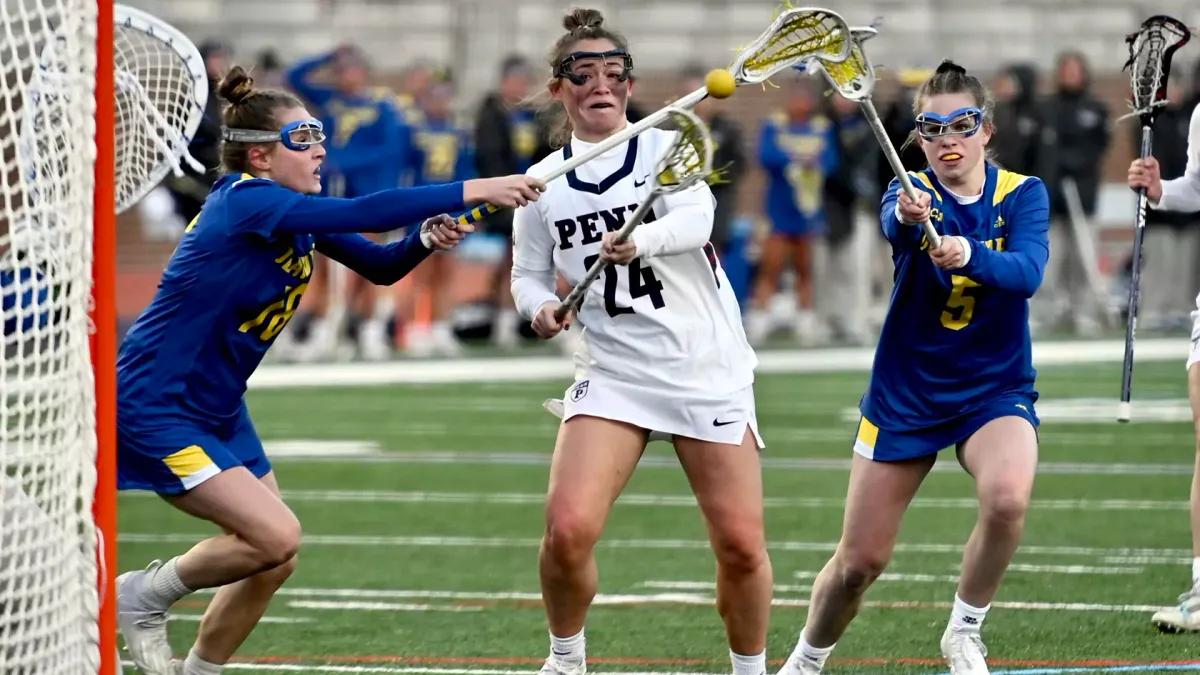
(171, 456)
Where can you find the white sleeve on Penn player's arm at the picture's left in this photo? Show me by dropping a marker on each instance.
(533, 262)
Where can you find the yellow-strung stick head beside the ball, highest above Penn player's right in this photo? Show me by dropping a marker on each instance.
(799, 34)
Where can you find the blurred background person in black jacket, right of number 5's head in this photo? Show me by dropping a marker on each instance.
(1075, 140)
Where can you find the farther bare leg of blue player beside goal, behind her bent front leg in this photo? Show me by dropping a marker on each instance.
(235, 612)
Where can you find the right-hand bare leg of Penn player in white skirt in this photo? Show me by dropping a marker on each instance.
(728, 482)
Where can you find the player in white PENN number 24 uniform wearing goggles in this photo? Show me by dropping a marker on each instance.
(663, 350)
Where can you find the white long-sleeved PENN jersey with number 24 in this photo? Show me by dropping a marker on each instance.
(669, 320)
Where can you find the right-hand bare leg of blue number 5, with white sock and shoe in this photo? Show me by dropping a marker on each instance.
(1003, 457)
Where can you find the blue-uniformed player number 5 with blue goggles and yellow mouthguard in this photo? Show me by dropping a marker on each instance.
(953, 369)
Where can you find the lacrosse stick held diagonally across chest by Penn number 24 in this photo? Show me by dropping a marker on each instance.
(688, 162)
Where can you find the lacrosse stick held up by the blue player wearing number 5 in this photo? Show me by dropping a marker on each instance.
(855, 80)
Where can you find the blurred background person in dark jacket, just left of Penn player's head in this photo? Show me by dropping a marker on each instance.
(506, 142)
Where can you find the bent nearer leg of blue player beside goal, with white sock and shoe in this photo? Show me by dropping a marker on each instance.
(267, 535)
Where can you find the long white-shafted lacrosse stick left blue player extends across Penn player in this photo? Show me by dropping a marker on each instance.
(797, 34)
